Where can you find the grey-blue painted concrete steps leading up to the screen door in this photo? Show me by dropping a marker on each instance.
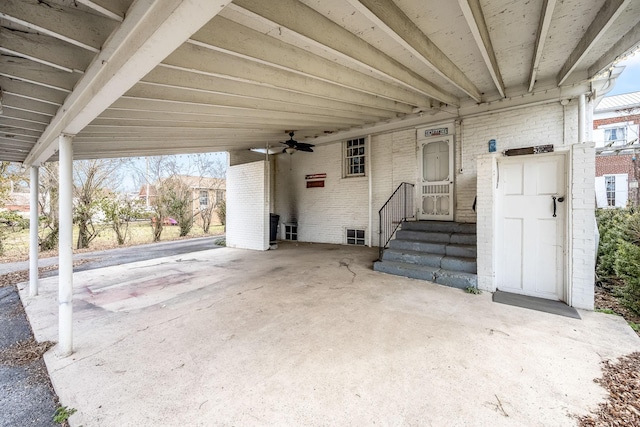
(440, 252)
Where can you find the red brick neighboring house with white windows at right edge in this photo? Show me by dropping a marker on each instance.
(616, 126)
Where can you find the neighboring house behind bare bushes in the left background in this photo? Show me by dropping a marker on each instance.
(206, 194)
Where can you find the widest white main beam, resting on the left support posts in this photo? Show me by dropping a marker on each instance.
(150, 32)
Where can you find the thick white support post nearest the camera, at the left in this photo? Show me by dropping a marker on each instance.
(65, 255)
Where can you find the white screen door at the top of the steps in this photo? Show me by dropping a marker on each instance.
(435, 186)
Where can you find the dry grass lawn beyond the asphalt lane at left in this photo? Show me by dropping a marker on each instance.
(16, 244)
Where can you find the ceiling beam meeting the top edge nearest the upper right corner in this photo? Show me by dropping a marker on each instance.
(606, 16)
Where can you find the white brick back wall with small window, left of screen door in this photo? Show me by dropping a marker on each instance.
(324, 214)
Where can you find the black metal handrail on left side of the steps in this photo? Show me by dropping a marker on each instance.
(398, 208)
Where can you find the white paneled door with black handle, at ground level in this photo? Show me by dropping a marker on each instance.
(531, 225)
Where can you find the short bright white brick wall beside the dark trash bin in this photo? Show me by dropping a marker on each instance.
(248, 206)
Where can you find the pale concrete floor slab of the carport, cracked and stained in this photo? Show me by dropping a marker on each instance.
(310, 335)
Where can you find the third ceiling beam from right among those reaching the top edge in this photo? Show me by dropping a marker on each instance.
(472, 12)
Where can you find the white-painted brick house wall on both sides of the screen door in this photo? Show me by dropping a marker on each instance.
(323, 214)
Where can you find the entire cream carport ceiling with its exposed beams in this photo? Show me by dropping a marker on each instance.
(168, 76)
